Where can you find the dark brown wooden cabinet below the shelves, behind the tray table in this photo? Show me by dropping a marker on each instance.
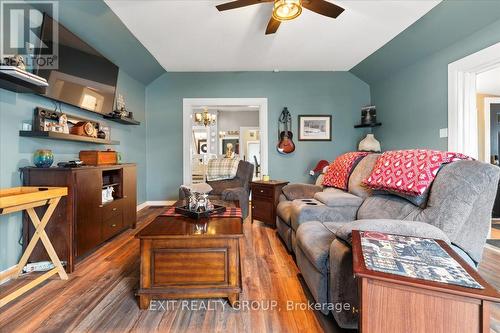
(82, 222)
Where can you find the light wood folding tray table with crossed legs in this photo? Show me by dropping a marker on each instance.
(28, 198)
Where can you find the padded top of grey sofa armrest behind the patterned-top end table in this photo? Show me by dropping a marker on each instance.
(397, 227)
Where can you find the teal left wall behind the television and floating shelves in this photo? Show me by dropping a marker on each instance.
(95, 23)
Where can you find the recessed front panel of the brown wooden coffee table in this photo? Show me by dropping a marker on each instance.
(189, 266)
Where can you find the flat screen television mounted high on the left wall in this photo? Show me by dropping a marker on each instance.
(83, 78)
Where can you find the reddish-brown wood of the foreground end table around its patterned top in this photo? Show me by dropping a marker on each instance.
(393, 303)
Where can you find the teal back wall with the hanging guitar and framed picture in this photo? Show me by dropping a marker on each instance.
(339, 94)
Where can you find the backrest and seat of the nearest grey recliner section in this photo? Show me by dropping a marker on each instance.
(460, 203)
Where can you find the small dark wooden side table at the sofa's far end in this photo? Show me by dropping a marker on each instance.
(265, 197)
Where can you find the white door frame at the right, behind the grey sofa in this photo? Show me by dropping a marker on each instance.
(475, 63)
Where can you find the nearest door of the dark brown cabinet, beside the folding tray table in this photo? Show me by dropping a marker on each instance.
(88, 210)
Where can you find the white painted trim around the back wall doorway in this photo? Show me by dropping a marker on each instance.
(188, 104)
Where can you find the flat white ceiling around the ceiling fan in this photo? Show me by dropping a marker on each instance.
(192, 35)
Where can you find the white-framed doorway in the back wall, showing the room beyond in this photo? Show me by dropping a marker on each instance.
(236, 124)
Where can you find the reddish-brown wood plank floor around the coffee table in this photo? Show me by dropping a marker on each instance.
(99, 296)
